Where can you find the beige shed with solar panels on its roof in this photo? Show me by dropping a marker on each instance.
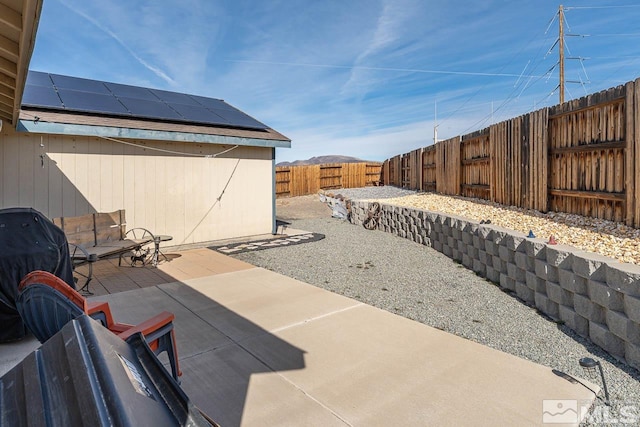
(189, 166)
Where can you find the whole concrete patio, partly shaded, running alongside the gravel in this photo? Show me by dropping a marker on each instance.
(259, 348)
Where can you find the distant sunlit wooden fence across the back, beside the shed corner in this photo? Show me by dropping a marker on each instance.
(309, 179)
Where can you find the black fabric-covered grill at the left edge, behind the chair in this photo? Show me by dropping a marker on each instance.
(28, 241)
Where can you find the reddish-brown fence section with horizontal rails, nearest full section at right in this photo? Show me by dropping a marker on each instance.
(587, 162)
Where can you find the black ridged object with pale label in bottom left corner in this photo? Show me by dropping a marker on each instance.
(86, 376)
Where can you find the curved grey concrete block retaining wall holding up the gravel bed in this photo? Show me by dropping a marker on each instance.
(596, 296)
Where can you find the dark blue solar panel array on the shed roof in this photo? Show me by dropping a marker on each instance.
(64, 93)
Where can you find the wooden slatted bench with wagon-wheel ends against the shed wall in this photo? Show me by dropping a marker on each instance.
(96, 236)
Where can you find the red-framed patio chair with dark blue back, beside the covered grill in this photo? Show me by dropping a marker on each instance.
(46, 304)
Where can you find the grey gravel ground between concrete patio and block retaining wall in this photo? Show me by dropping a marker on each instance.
(422, 284)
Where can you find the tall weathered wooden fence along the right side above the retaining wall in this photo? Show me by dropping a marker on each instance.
(578, 157)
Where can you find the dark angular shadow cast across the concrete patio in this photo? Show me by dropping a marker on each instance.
(216, 347)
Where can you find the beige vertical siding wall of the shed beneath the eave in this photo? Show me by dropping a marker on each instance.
(194, 199)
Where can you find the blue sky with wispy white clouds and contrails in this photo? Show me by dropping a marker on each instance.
(362, 78)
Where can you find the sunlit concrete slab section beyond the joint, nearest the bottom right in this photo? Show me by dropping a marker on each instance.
(375, 368)
